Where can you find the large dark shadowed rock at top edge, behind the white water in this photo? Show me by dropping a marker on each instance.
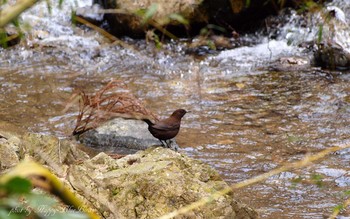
(198, 13)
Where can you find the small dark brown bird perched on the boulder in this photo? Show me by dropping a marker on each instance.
(168, 128)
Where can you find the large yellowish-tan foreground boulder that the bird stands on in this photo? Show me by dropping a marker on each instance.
(151, 183)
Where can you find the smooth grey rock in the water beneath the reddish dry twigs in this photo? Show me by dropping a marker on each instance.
(122, 136)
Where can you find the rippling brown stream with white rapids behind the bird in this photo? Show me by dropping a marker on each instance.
(244, 120)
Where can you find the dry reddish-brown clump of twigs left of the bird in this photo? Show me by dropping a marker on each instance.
(111, 101)
